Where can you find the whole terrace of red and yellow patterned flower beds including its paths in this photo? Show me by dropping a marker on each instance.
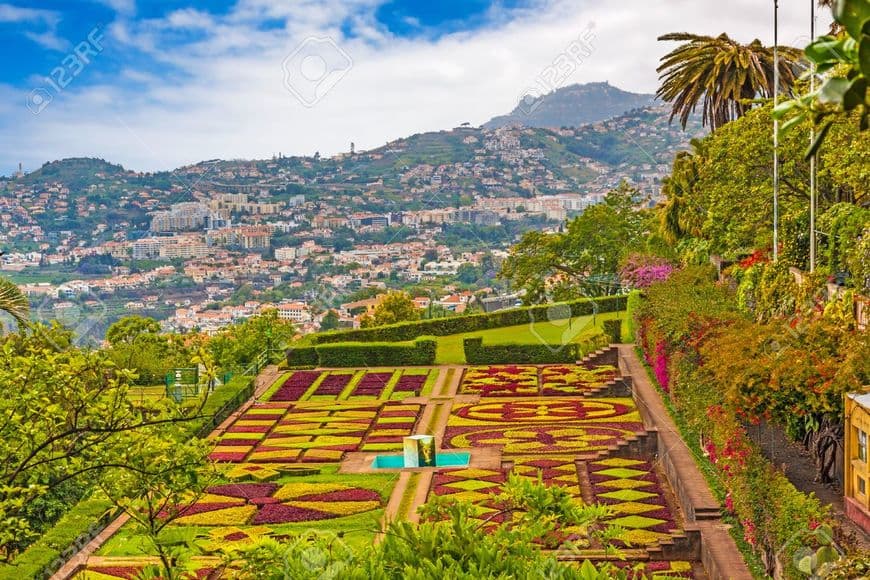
(299, 458)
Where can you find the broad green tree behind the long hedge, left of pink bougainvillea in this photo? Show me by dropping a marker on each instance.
(583, 257)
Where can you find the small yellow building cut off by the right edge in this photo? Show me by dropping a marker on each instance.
(857, 469)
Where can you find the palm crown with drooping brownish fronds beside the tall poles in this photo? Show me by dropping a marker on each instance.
(725, 73)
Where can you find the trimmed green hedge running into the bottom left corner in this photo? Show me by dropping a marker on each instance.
(72, 531)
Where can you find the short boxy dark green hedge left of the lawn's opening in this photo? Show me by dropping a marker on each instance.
(360, 354)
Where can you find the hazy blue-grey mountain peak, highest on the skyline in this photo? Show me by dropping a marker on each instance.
(573, 106)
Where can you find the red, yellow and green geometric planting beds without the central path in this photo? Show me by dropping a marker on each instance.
(280, 456)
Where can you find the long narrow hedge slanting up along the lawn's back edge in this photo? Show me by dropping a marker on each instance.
(405, 331)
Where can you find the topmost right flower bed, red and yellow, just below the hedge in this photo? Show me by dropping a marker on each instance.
(532, 381)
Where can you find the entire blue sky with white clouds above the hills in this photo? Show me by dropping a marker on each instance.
(155, 85)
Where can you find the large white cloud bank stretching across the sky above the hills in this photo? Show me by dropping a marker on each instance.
(230, 101)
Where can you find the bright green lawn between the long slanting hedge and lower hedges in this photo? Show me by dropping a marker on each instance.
(564, 331)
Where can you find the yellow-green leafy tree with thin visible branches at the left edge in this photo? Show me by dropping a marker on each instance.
(67, 415)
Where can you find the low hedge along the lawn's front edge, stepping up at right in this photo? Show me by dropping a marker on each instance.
(478, 354)
